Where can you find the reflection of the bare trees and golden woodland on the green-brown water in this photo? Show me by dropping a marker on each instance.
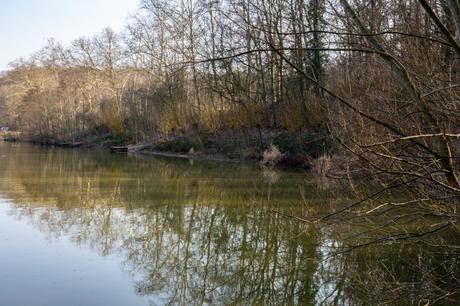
(190, 234)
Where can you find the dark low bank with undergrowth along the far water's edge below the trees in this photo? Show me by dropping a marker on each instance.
(299, 153)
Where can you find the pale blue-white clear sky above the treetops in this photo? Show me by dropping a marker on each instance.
(26, 25)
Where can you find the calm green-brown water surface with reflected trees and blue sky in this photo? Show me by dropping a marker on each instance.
(91, 228)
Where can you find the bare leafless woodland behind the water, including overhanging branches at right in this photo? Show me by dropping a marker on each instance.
(375, 84)
